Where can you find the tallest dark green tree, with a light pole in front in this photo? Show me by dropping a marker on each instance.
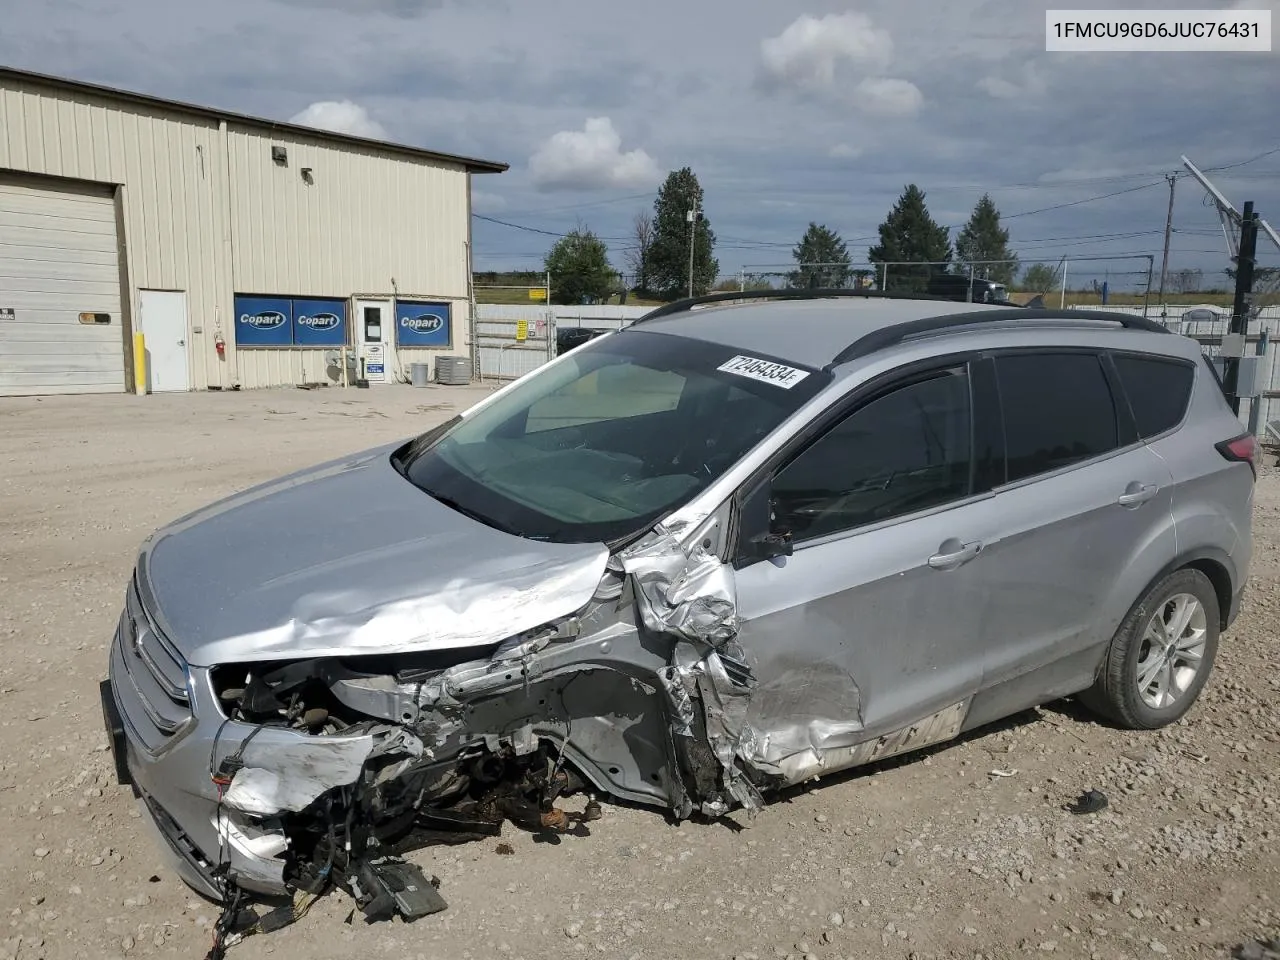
(669, 249)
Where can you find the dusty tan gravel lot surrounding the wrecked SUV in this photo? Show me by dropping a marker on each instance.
(930, 856)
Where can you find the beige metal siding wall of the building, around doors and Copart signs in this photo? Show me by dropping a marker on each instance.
(208, 212)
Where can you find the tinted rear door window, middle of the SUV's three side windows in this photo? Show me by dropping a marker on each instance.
(1058, 410)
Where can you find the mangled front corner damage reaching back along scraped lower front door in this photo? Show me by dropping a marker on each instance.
(341, 766)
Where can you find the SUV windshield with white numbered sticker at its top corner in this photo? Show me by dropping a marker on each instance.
(602, 445)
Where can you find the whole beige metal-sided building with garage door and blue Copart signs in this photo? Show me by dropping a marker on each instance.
(211, 216)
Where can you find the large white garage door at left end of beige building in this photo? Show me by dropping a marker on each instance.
(58, 262)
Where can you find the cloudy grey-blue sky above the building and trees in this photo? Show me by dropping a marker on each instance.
(788, 112)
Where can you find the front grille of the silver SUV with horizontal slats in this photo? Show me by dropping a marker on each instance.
(150, 678)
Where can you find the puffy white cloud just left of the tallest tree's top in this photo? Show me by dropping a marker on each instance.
(591, 159)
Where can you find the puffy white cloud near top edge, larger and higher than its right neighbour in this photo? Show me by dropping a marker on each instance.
(807, 56)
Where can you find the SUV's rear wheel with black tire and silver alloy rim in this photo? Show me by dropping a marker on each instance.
(1162, 656)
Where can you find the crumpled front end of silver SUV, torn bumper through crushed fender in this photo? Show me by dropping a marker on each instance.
(296, 775)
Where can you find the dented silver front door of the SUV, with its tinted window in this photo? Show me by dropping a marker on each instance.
(874, 627)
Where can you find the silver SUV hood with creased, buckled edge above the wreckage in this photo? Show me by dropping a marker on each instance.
(350, 559)
